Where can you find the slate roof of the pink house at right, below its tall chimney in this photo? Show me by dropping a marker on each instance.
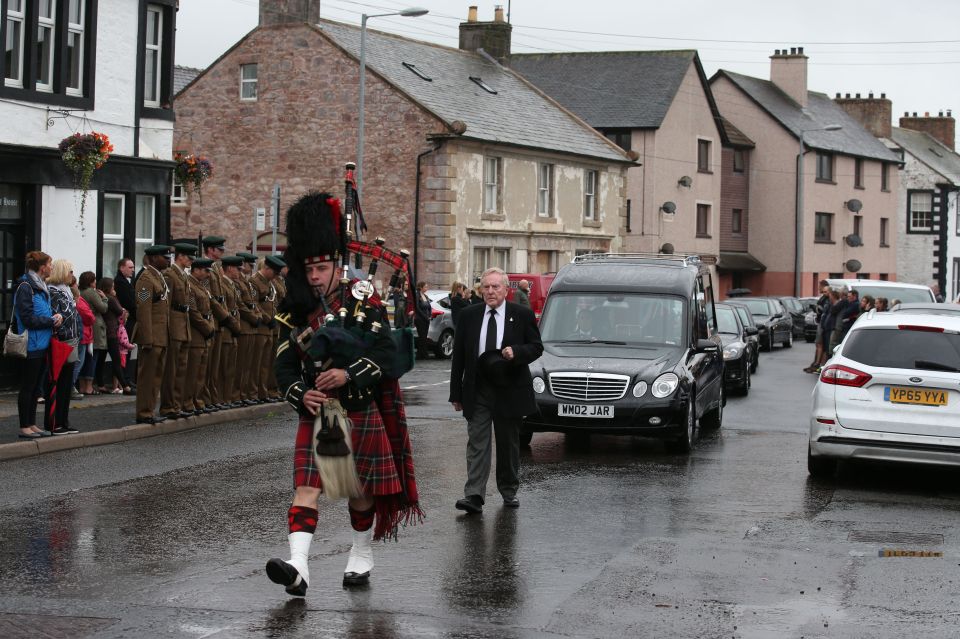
(820, 112)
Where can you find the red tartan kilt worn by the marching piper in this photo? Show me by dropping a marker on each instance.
(380, 458)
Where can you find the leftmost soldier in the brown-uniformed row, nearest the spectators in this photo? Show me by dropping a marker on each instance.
(153, 316)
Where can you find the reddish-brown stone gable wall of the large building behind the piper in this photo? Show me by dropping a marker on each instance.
(299, 133)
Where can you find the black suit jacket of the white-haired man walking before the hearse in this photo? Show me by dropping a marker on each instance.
(515, 397)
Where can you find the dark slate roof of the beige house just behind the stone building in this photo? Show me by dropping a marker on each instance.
(610, 89)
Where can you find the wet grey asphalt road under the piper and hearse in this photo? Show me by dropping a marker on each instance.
(168, 537)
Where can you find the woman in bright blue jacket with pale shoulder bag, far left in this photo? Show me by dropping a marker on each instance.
(33, 314)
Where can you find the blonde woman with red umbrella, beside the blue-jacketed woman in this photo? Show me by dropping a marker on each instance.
(69, 331)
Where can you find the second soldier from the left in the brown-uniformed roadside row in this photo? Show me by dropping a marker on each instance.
(178, 348)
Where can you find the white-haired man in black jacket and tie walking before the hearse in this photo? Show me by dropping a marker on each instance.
(490, 382)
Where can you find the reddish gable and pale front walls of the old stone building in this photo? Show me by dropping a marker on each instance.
(302, 128)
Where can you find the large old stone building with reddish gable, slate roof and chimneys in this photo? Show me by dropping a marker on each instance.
(464, 162)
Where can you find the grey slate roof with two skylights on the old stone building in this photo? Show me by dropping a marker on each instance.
(518, 114)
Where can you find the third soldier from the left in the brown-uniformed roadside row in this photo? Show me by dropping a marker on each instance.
(202, 332)
